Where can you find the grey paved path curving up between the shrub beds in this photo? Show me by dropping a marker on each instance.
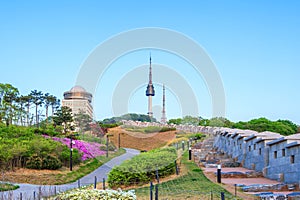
(30, 191)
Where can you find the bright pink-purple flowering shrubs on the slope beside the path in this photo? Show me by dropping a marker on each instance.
(88, 149)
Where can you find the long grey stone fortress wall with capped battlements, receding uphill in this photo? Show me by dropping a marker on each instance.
(276, 156)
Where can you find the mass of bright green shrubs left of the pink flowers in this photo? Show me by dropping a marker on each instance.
(28, 147)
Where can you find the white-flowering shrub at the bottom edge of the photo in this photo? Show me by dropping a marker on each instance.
(87, 194)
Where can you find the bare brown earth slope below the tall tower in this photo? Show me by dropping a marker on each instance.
(141, 141)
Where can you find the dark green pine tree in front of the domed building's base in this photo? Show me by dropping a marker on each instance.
(63, 116)
